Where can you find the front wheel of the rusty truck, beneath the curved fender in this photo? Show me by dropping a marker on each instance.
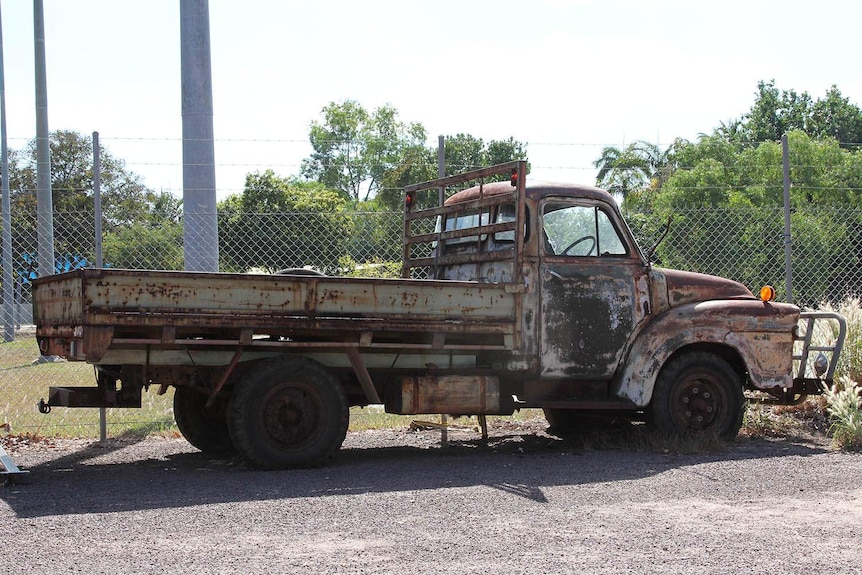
(697, 394)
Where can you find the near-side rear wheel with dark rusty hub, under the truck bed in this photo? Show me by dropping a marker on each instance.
(290, 412)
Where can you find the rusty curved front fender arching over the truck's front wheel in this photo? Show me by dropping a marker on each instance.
(764, 347)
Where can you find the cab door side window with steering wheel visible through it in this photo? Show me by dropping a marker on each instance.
(580, 231)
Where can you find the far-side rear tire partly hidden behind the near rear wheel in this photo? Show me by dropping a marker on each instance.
(204, 428)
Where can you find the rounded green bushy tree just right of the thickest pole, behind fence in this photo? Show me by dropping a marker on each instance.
(279, 223)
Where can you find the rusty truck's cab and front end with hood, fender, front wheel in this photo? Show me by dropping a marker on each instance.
(601, 328)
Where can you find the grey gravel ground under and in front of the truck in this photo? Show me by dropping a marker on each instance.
(394, 501)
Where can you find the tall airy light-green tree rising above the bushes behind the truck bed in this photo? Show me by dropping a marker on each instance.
(354, 149)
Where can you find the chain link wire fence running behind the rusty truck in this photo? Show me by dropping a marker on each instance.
(743, 244)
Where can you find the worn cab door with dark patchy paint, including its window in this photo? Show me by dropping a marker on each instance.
(594, 290)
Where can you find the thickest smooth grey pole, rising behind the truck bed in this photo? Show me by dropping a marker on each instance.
(200, 229)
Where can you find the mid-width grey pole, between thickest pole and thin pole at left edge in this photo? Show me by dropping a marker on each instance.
(44, 203)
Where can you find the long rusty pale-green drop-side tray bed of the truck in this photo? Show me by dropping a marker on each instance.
(81, 314)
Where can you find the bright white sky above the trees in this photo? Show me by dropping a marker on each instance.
(565, 76)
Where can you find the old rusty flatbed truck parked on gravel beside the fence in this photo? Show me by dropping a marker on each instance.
(513, 295)
